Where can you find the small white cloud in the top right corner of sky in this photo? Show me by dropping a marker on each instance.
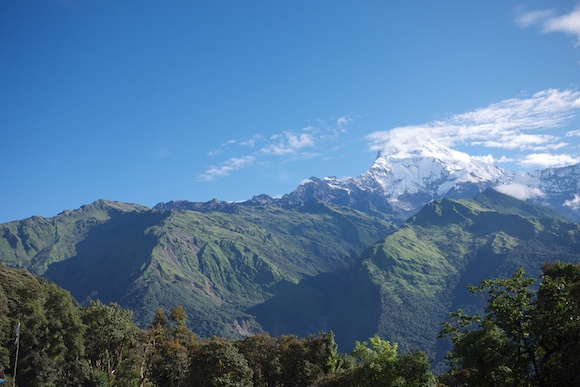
(548, 21)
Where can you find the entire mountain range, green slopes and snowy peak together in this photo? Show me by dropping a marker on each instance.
(389, 252)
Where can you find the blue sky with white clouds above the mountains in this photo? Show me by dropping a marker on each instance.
(150, 101)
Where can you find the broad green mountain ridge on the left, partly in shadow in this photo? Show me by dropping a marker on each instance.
(218, 261)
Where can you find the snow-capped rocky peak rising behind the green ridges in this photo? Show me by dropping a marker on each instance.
(402, 180)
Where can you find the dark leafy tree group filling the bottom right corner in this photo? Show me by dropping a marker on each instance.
(526, 337)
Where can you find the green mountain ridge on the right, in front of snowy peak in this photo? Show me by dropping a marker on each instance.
(418, 274)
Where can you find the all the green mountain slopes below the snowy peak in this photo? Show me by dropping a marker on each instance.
(244, 269)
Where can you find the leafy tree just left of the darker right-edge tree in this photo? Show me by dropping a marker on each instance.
(498, 347)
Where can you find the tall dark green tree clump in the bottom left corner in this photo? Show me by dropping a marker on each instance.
(50, 332)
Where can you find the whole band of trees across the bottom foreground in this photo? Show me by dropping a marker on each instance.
(528, 336)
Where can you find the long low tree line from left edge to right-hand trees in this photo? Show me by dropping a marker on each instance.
(63, 344)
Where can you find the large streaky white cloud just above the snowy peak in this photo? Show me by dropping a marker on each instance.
(511, 124)
